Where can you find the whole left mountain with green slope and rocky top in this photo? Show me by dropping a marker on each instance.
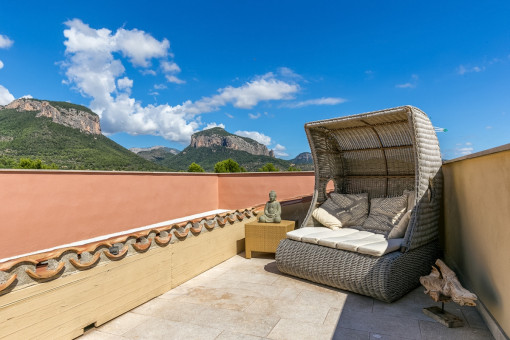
(32, 134)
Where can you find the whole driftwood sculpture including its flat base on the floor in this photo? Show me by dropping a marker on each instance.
(443, 286)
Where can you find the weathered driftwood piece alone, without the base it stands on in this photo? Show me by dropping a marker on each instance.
(442, 285)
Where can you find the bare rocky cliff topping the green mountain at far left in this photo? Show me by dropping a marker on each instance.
(62, 113)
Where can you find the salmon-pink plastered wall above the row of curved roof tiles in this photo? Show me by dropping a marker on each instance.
(45, 209)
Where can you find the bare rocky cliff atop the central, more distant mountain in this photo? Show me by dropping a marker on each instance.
(219, 137)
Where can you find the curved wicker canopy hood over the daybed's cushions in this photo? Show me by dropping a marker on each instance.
(381, 153)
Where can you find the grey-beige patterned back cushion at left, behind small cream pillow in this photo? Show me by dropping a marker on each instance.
(349, 209)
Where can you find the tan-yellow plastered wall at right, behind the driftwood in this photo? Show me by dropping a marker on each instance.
(477, 227)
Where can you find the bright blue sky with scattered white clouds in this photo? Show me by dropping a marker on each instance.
(156, 72)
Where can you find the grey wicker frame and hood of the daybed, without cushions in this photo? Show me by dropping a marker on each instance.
(381, 153)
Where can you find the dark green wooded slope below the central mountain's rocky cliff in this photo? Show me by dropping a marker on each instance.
(207, 157)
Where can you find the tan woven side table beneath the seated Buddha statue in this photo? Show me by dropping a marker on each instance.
(264, 237)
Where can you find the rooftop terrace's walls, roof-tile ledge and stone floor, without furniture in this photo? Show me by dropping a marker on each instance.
(188, 277)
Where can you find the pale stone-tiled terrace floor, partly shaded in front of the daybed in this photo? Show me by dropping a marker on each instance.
(251, 299)
